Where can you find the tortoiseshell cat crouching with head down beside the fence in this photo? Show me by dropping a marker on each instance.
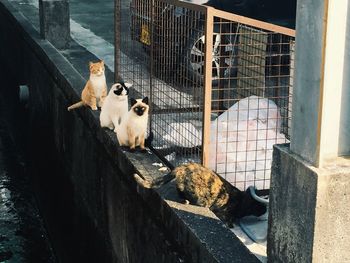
(203, 187)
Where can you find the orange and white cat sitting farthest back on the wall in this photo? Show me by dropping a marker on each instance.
(95, 89)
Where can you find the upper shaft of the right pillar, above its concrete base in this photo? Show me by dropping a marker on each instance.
(321, 93)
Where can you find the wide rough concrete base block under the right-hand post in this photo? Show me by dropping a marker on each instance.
(309, 210)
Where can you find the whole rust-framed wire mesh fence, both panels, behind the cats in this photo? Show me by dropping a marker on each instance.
(220, 84)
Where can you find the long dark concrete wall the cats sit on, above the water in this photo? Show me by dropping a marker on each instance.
(134, 224)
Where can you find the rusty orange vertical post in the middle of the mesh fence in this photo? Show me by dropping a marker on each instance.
(209, 29)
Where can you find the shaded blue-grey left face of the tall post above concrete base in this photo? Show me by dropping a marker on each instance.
(306, 112)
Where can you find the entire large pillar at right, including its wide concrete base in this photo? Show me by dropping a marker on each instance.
(310, 180)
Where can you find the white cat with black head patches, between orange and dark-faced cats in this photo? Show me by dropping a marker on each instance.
(115, 106)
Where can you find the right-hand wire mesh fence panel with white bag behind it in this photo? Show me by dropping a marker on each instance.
(251, 101)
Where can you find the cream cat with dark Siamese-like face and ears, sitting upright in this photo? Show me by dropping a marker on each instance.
(132, 129)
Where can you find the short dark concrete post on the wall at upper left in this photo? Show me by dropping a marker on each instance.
(54, 22)
